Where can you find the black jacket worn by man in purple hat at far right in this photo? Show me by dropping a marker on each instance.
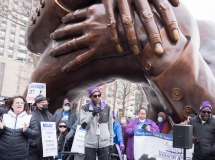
(205, 133)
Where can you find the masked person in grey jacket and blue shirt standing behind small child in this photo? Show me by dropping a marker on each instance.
(66, 114)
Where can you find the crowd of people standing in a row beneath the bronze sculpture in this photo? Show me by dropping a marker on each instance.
(20, 137)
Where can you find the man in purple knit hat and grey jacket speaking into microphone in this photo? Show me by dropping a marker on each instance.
(96, 119)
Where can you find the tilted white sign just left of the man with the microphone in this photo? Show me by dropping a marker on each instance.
(78, 143)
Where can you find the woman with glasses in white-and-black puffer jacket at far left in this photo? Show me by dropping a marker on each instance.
(16, 127)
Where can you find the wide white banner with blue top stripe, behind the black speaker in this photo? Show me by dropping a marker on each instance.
(157, 145)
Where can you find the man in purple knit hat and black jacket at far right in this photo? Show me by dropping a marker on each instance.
(204, 133)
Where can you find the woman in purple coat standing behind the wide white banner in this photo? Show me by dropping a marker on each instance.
(138, 123)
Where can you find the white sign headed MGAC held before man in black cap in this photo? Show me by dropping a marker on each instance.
(49, 139)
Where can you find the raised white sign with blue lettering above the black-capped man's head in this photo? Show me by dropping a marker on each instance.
(35, 89)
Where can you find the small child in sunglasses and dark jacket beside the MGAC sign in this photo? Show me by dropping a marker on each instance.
(61, 136)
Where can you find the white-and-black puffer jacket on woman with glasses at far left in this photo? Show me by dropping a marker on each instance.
(13, 141)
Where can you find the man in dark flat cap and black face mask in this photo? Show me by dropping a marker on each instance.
(41, 114)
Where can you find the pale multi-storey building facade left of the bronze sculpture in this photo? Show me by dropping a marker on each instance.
(15, 64)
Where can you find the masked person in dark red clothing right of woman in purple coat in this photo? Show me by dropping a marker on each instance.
(162, 123)
